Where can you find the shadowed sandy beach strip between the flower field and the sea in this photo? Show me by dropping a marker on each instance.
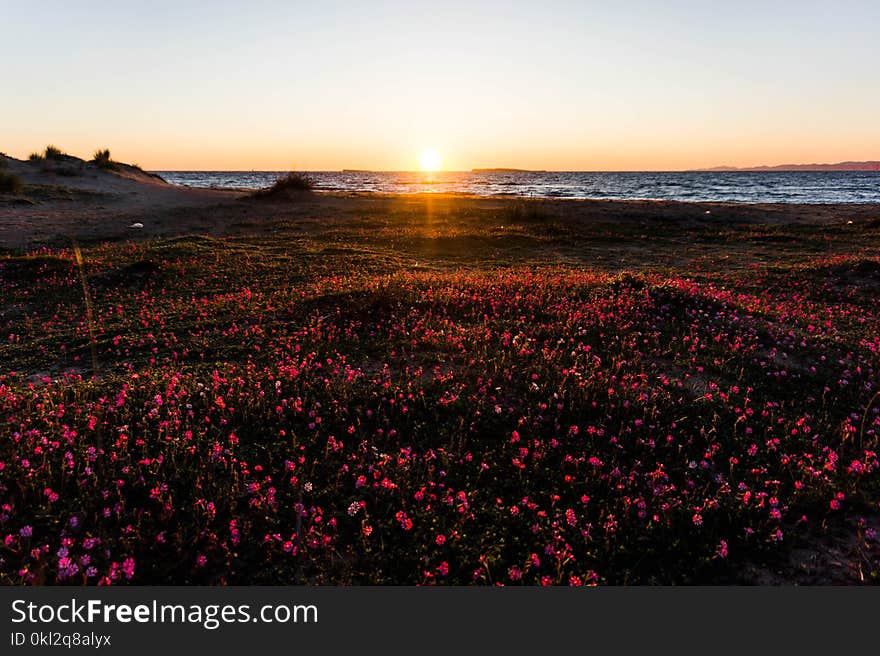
(70, 198)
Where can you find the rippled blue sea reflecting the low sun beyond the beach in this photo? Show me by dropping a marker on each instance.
(728, 186)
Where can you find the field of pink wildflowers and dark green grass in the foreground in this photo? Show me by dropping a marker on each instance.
(314, 409)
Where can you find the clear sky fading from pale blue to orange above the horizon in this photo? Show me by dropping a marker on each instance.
(626, 85)
